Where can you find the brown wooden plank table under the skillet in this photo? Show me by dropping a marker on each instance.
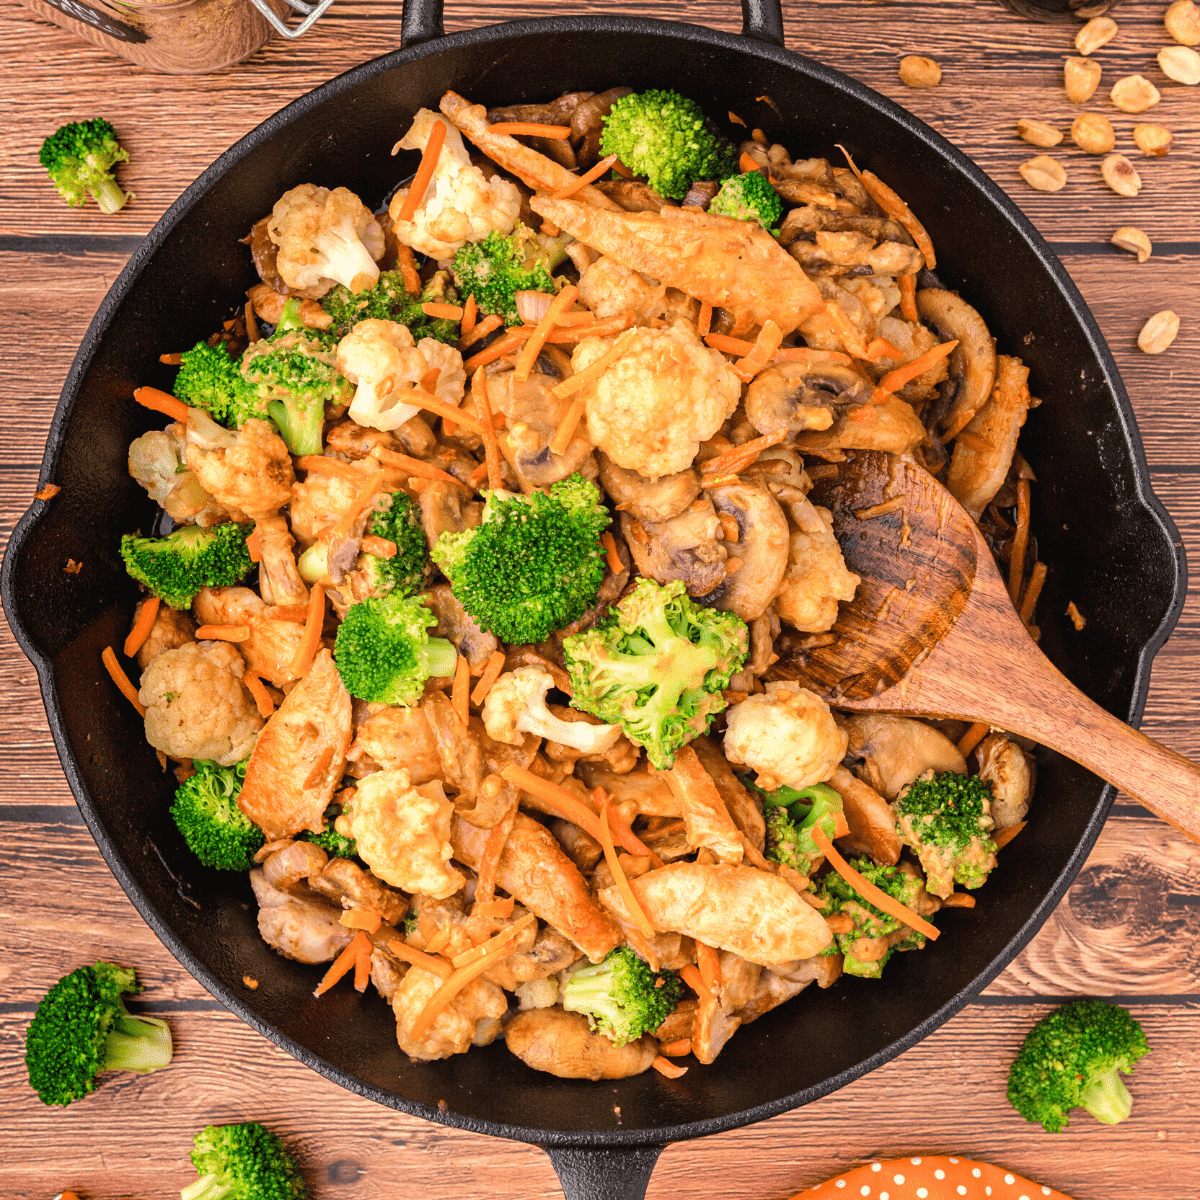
(1127, 928)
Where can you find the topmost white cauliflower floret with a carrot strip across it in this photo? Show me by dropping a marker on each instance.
(460, 205)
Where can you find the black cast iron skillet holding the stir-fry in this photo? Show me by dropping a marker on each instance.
(1099, 524)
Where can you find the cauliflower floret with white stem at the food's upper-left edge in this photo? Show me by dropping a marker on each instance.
(326, 238)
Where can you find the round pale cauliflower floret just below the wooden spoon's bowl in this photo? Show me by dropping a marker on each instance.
(789, 736)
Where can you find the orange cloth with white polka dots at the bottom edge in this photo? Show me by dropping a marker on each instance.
(934, 1178)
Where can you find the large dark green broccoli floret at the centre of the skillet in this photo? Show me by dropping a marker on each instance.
(533, 566)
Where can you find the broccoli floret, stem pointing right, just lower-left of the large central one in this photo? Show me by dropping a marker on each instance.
(385, 652)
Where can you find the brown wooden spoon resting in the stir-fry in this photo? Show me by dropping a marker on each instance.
(933, 633)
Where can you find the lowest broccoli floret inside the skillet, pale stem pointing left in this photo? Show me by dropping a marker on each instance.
(622, 997)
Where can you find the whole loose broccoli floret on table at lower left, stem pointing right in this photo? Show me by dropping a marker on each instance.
(82, 1028)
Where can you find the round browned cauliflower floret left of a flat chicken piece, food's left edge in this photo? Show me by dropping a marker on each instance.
(196, 704)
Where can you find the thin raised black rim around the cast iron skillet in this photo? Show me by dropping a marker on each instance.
(674, 32)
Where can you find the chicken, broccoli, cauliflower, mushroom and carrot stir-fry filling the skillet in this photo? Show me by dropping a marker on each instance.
(494, 554)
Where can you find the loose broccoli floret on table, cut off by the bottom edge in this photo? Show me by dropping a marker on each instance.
(243, 1162)
